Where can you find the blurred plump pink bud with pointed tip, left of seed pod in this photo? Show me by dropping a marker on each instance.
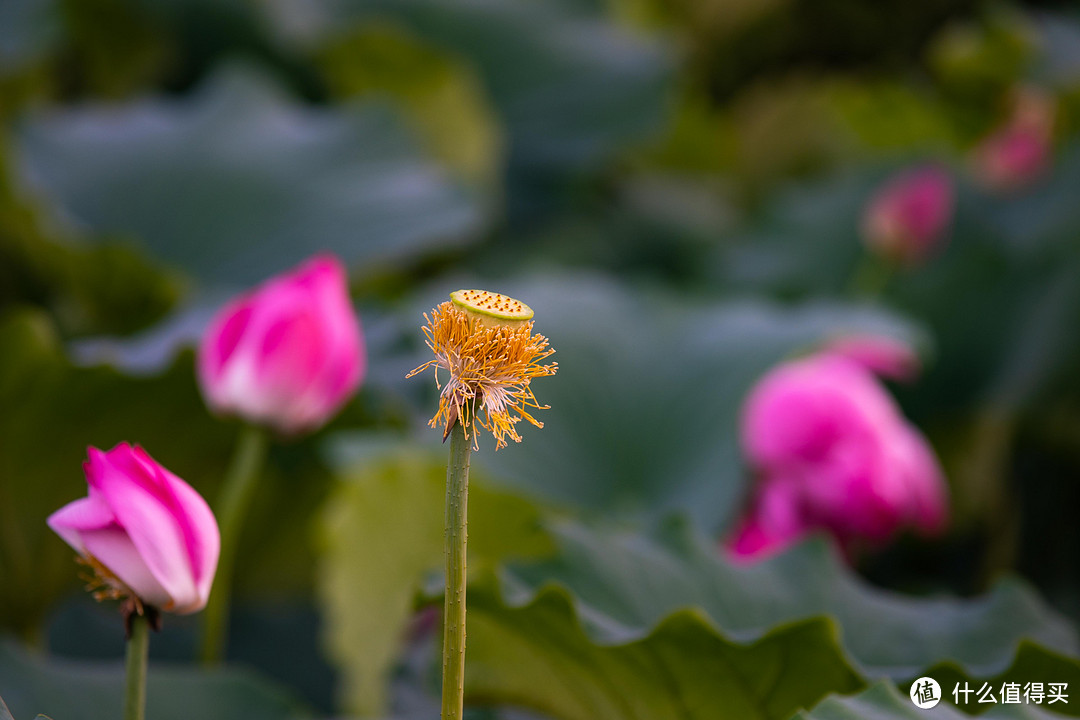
(288, 355)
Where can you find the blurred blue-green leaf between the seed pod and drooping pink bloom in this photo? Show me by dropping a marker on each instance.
(644, 409)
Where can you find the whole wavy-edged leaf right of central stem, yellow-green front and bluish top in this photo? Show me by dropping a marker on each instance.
(698, 637)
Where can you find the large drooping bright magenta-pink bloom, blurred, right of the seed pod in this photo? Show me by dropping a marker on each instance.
(831, 451)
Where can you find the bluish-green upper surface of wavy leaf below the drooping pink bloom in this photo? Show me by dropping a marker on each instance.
(625, 585)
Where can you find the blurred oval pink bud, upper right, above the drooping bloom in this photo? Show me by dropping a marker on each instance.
(909, 219)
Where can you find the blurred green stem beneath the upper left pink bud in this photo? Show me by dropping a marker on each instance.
(236, 498)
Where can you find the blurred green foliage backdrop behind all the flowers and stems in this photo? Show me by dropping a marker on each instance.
(677, 187)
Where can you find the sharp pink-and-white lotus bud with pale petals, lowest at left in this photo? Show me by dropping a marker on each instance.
(146, 533)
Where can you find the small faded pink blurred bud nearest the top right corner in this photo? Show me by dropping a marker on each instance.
(1020, 153)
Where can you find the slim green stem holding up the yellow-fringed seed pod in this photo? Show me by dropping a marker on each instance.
(454, 615)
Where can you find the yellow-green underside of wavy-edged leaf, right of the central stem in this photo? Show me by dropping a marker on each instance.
(539, 657)
